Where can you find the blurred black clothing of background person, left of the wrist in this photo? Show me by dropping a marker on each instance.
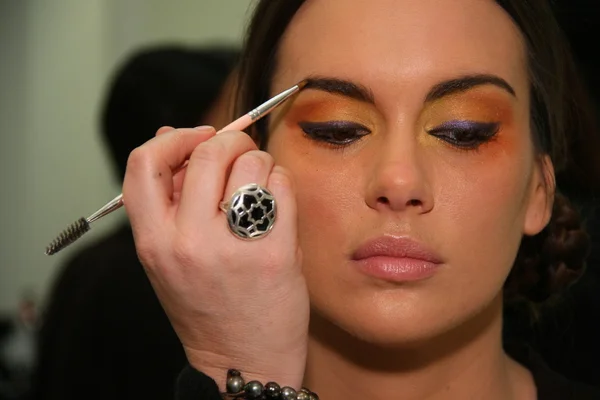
(105, 334)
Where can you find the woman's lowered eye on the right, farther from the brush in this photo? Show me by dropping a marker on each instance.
(466, 135)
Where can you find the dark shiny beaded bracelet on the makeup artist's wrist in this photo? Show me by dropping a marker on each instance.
(254, 390)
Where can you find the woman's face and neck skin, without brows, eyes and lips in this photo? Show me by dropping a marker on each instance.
(461, 203)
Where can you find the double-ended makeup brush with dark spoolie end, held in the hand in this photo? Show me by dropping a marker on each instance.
(82, 225)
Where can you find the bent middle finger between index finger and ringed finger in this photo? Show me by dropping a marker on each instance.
(206, 175)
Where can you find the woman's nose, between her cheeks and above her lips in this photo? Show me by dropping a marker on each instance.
(399, 181)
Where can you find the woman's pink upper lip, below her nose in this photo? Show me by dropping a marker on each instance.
(396, 247)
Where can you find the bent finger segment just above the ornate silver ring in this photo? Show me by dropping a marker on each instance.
(251, 167)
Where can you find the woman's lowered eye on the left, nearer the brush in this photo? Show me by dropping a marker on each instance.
(326, 132)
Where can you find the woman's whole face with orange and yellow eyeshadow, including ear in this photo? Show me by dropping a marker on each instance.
(413, 137)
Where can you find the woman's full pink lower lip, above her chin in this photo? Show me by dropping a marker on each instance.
(397, 269)
